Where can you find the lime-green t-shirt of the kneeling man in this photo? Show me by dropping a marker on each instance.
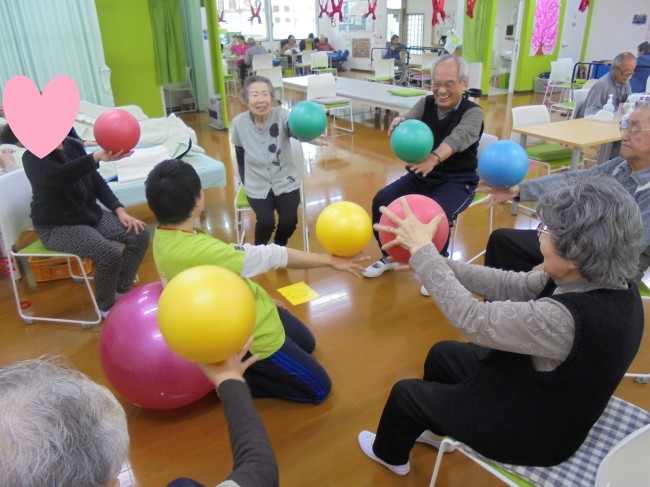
(176, 250)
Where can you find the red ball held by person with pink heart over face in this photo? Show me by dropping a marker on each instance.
(117, 130)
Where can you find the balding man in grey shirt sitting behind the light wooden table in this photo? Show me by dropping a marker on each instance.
(616, 82)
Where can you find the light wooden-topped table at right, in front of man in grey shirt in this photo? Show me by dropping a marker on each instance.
(577, 134)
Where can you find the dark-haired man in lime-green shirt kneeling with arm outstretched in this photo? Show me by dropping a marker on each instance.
(283, 343)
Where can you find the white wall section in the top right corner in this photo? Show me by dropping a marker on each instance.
(612, 30)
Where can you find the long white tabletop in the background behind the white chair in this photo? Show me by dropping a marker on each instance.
(375, 94)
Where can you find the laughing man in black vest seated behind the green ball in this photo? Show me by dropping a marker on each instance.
(448, 174)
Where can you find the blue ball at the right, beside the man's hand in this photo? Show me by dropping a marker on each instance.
(503, 164)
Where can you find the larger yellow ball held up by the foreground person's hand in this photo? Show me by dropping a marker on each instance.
(206, 313)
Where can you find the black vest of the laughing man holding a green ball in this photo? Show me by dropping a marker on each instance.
(465, 161)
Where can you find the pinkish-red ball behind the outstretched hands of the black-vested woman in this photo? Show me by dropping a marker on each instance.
(425, 209)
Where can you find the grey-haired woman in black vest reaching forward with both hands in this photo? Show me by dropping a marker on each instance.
(548, 348)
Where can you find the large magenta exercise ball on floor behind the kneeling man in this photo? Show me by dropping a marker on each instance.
(136, 360)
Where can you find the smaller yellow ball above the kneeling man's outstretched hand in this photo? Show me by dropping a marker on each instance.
(344, 228)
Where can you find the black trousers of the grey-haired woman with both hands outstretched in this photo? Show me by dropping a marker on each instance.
(414, 405)
